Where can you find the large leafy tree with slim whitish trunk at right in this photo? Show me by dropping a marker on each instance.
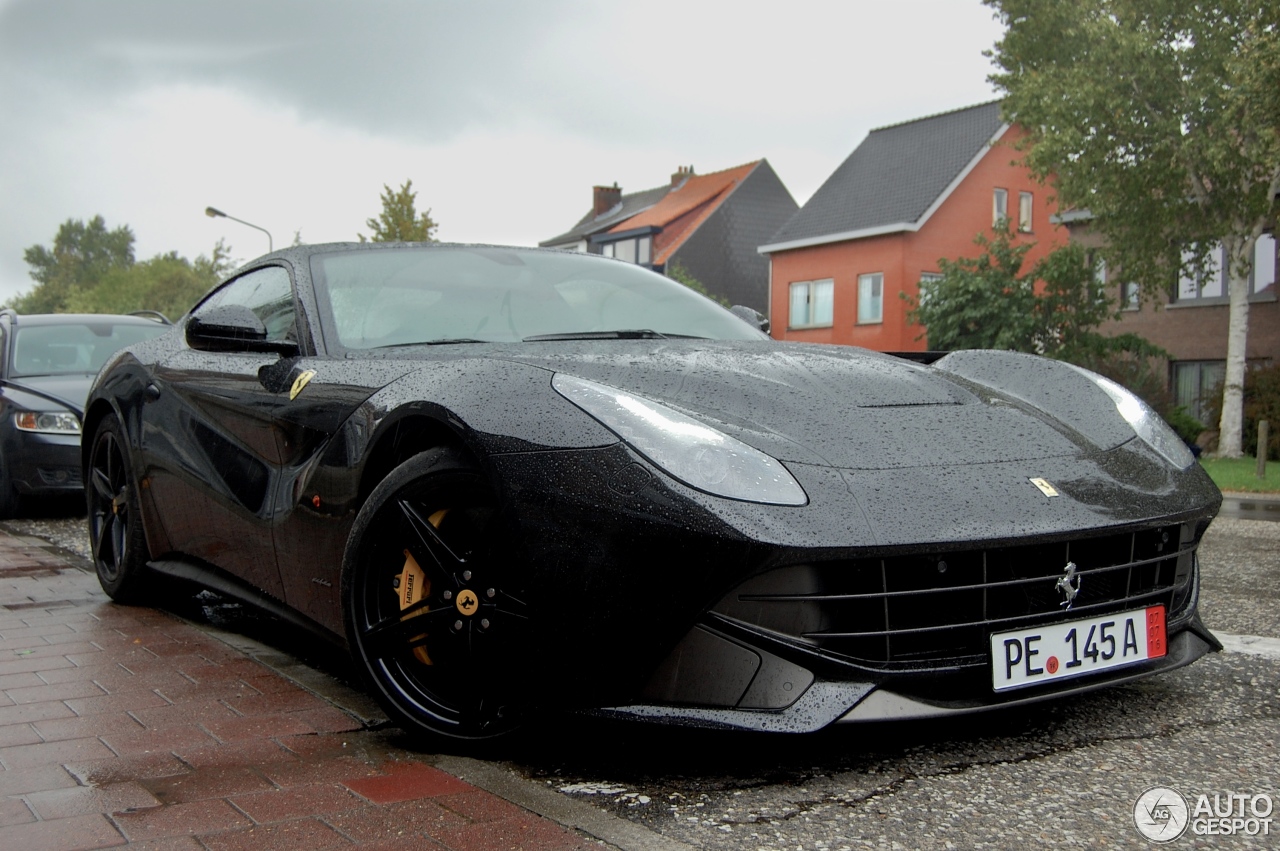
(1163, 120)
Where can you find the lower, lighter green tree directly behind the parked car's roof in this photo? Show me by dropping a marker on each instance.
(167, 283)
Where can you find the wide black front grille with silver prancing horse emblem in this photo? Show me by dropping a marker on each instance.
(918, 611)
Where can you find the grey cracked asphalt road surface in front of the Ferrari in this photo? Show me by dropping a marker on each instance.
(1066, 775)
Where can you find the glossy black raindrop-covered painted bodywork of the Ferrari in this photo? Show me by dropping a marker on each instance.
(243, 477)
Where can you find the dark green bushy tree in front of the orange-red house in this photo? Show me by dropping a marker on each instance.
(988, 301)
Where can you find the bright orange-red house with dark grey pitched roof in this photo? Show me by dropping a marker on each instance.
(909, 195)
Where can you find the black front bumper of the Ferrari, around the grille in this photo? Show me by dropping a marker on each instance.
(623, 565)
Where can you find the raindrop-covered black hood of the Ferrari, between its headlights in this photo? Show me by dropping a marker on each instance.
(824, 405)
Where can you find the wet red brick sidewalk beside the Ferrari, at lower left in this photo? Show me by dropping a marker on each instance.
(130, 728)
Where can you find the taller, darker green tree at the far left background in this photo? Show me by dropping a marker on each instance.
(83, 255)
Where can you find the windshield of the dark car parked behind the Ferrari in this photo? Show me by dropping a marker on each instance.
(76, 347)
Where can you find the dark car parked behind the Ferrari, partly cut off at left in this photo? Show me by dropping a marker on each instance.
(47, 365)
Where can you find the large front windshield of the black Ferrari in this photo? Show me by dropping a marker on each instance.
(454, 295)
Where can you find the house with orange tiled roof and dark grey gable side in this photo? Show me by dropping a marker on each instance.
(710, 225)
